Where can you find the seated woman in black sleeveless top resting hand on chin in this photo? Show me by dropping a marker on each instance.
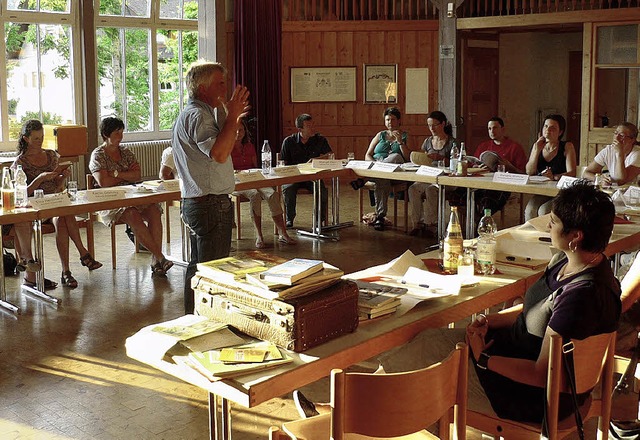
(550, 157)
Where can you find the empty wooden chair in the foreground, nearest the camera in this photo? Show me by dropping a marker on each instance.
(391, 405)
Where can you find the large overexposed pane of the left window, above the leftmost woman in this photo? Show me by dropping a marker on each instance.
(39, 75)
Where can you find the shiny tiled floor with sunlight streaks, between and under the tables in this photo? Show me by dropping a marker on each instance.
(64, 373)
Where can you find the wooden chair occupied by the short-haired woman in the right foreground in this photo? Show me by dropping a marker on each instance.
(593, 359)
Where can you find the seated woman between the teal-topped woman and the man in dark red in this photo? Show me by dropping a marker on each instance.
(423, 197)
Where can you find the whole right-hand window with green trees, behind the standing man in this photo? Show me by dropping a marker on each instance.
(141, 62)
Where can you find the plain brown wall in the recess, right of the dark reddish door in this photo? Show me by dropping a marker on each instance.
(534, 75)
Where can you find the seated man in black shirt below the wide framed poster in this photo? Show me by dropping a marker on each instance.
(298, 148)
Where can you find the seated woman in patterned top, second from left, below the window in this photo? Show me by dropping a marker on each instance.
(113, 165)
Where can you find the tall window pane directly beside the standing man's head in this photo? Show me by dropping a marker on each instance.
(176, 51)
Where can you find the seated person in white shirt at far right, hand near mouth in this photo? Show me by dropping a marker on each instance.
(621, 158)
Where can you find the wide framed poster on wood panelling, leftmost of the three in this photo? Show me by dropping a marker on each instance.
(325, 84)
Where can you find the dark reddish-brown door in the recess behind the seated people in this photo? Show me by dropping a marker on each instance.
(480, 73)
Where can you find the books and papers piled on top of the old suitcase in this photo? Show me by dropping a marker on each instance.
(267, 276)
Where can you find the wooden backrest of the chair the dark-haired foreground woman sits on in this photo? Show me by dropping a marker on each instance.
(593, 364)
